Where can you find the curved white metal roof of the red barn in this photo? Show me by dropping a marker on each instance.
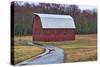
(56, 21)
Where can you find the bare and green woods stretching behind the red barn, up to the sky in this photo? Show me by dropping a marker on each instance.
(85, 20)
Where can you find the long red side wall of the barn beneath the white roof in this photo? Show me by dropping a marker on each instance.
(57, 35)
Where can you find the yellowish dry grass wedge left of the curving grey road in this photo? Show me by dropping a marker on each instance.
(24, 52)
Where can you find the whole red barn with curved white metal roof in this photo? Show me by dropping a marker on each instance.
(50, 27)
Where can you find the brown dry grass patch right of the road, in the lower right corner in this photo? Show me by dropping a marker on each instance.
(80, 55)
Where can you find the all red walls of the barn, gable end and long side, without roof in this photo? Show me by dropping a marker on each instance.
(40, 34)
